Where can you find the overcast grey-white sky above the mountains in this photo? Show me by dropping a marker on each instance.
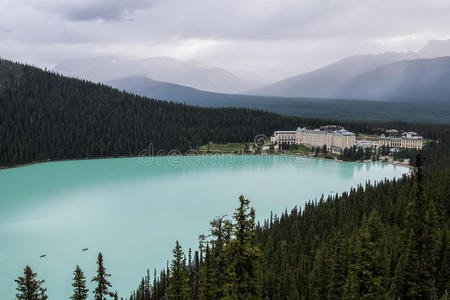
(275, 38)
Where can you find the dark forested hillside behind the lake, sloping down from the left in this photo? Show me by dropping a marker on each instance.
(47, 116)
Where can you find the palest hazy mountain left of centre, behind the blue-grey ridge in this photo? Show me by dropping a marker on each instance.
(189, 73)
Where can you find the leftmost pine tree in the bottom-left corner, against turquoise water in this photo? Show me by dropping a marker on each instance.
(29, 288)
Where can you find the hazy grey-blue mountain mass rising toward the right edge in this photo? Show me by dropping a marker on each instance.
(343, 78)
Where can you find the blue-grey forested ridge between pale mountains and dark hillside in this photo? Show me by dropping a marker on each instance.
(305, 107)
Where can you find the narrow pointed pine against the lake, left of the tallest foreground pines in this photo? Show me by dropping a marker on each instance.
(178, 284)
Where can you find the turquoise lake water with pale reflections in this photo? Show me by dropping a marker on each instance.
(133, 210)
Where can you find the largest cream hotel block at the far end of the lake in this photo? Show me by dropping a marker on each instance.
(334, 140)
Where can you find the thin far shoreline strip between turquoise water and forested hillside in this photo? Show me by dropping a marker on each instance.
(391, 162)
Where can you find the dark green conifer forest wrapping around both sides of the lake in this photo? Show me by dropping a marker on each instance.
(388, 240)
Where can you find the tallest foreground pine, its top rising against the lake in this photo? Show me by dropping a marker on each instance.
(243, 253)
